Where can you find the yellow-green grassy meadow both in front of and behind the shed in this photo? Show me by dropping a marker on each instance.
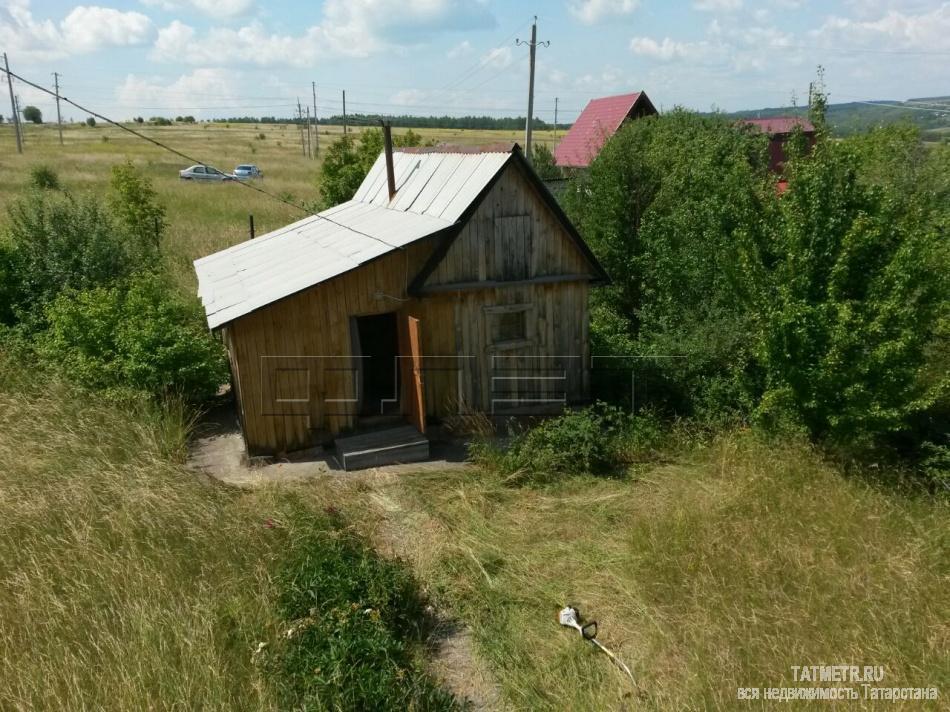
(129, 582)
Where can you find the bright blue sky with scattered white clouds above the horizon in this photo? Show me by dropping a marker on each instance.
(220, 58)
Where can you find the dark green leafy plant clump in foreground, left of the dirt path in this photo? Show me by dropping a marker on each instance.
(355, 628)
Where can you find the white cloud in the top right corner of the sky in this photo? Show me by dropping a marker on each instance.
(927, 31)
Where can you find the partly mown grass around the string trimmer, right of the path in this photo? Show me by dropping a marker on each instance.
(717, 571)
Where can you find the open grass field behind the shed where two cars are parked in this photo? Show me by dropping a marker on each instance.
(202, 218)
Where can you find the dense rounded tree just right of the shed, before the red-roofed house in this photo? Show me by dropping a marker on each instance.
(669, 206)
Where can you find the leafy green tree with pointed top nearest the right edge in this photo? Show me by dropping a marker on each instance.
(856, 289)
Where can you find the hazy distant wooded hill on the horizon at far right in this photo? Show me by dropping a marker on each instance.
(930, 114)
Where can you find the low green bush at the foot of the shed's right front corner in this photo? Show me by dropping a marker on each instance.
(600, 439)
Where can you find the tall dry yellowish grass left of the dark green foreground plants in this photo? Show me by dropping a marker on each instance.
(125, 583)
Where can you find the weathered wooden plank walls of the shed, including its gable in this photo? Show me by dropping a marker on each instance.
(293, 363)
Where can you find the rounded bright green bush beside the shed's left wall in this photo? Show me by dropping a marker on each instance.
(139, 336)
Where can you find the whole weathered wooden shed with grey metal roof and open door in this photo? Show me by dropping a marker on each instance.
(451, 282)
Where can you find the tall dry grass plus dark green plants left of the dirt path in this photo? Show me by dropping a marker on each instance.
(128, 582)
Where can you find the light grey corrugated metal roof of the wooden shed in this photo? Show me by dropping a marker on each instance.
(433, 191)
